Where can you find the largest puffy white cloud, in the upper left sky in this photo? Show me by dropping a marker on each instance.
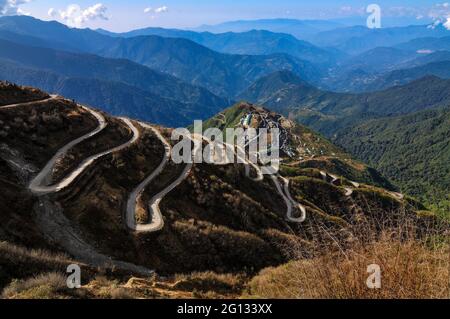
(74, 16)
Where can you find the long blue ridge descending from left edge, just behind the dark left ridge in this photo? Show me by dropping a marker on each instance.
(223, 74)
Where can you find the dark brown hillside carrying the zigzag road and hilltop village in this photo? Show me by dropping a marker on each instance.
(113, 198)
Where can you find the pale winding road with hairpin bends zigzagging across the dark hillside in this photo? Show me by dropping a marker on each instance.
(38, 184)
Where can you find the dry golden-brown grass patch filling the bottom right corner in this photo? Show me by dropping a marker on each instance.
(410, 269)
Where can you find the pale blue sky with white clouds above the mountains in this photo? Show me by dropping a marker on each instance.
(117, 15)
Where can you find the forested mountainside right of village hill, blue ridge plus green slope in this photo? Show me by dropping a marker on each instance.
(408, 143)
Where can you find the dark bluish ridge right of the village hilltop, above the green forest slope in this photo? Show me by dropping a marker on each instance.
(329, 112)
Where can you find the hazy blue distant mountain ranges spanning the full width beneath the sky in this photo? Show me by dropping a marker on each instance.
(227, 63)
